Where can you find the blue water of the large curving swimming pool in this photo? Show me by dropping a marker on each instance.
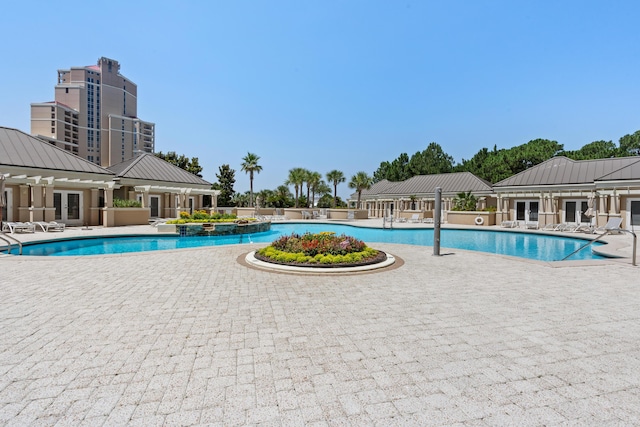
(525, 245)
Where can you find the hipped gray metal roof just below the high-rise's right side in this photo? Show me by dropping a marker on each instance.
(149, 167)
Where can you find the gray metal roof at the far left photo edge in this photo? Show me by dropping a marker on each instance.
(23, 150)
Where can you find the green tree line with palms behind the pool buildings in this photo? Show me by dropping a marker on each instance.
(491, 165)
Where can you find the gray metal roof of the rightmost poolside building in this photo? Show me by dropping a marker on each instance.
(562, 171)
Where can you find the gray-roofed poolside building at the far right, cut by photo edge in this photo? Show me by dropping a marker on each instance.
(584, 192)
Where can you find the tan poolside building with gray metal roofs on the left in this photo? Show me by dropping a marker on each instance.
(44, 182)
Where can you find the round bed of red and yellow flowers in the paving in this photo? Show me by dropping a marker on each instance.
(324, 249)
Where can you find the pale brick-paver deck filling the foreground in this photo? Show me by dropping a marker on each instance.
(193, 337)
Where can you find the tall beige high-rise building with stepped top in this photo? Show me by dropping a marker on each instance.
(94, 115)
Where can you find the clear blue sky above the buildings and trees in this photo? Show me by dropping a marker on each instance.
(340, 84)
